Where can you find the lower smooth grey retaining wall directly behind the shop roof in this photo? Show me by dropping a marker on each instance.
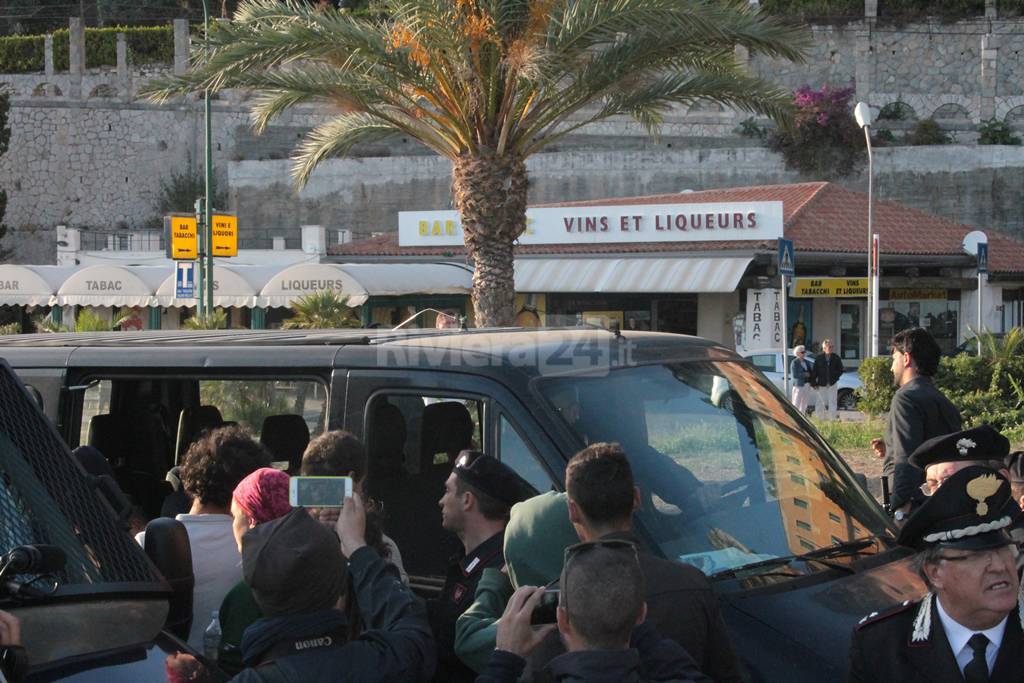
(979, 187)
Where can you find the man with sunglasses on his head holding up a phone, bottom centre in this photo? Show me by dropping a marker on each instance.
(601, 618)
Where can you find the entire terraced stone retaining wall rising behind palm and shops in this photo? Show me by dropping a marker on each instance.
(99, 158)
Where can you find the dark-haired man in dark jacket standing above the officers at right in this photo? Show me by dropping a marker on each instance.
(919, 412)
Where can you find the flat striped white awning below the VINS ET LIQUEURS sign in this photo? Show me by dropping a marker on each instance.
(651, 276)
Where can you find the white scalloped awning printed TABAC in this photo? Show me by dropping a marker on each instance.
(111, 286)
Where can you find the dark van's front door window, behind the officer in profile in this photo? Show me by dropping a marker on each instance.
(412, 443)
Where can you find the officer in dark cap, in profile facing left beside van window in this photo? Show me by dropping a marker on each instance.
(479, 496)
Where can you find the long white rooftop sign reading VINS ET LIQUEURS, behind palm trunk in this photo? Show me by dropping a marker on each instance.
(612, 225)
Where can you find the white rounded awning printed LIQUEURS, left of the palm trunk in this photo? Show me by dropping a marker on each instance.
(359, 282)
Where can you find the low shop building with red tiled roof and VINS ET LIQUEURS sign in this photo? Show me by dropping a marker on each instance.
(706, 264)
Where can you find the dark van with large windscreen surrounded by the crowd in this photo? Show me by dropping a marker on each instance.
(735, 481)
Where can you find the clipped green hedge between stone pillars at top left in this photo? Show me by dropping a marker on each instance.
(147, 46)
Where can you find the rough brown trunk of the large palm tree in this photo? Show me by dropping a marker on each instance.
(491, 196)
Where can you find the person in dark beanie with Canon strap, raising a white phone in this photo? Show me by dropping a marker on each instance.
(298, 577)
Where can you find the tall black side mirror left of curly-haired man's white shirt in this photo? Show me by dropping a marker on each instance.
(168, 547)
